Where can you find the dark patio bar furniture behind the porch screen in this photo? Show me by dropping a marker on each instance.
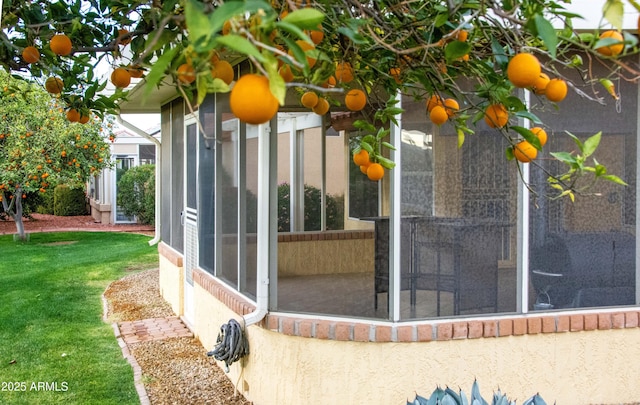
(446, 255)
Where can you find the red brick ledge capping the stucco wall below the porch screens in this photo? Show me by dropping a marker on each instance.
(431, 330)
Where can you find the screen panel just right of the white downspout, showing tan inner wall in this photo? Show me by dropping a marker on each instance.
(320, 271)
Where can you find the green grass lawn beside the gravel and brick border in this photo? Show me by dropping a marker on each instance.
(55, 348)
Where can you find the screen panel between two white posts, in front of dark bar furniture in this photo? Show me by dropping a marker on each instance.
(457, 215)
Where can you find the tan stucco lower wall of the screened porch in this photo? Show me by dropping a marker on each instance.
(565, 367)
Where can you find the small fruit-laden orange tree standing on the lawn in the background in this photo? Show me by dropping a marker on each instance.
(39, 148)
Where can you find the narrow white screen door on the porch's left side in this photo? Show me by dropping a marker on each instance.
(190, 214)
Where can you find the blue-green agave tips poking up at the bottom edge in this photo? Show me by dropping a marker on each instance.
(448, 396)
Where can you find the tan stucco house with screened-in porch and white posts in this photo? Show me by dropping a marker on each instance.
(433, 281)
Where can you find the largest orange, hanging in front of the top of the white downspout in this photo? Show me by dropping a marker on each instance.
(251, 99)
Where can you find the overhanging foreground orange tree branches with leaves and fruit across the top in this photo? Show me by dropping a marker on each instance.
(330, 47)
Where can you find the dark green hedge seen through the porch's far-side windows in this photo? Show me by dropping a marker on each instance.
(312, 209)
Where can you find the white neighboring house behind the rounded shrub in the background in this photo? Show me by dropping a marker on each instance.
(128, 150)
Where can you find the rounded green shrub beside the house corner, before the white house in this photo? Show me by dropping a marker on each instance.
(137, 193)
